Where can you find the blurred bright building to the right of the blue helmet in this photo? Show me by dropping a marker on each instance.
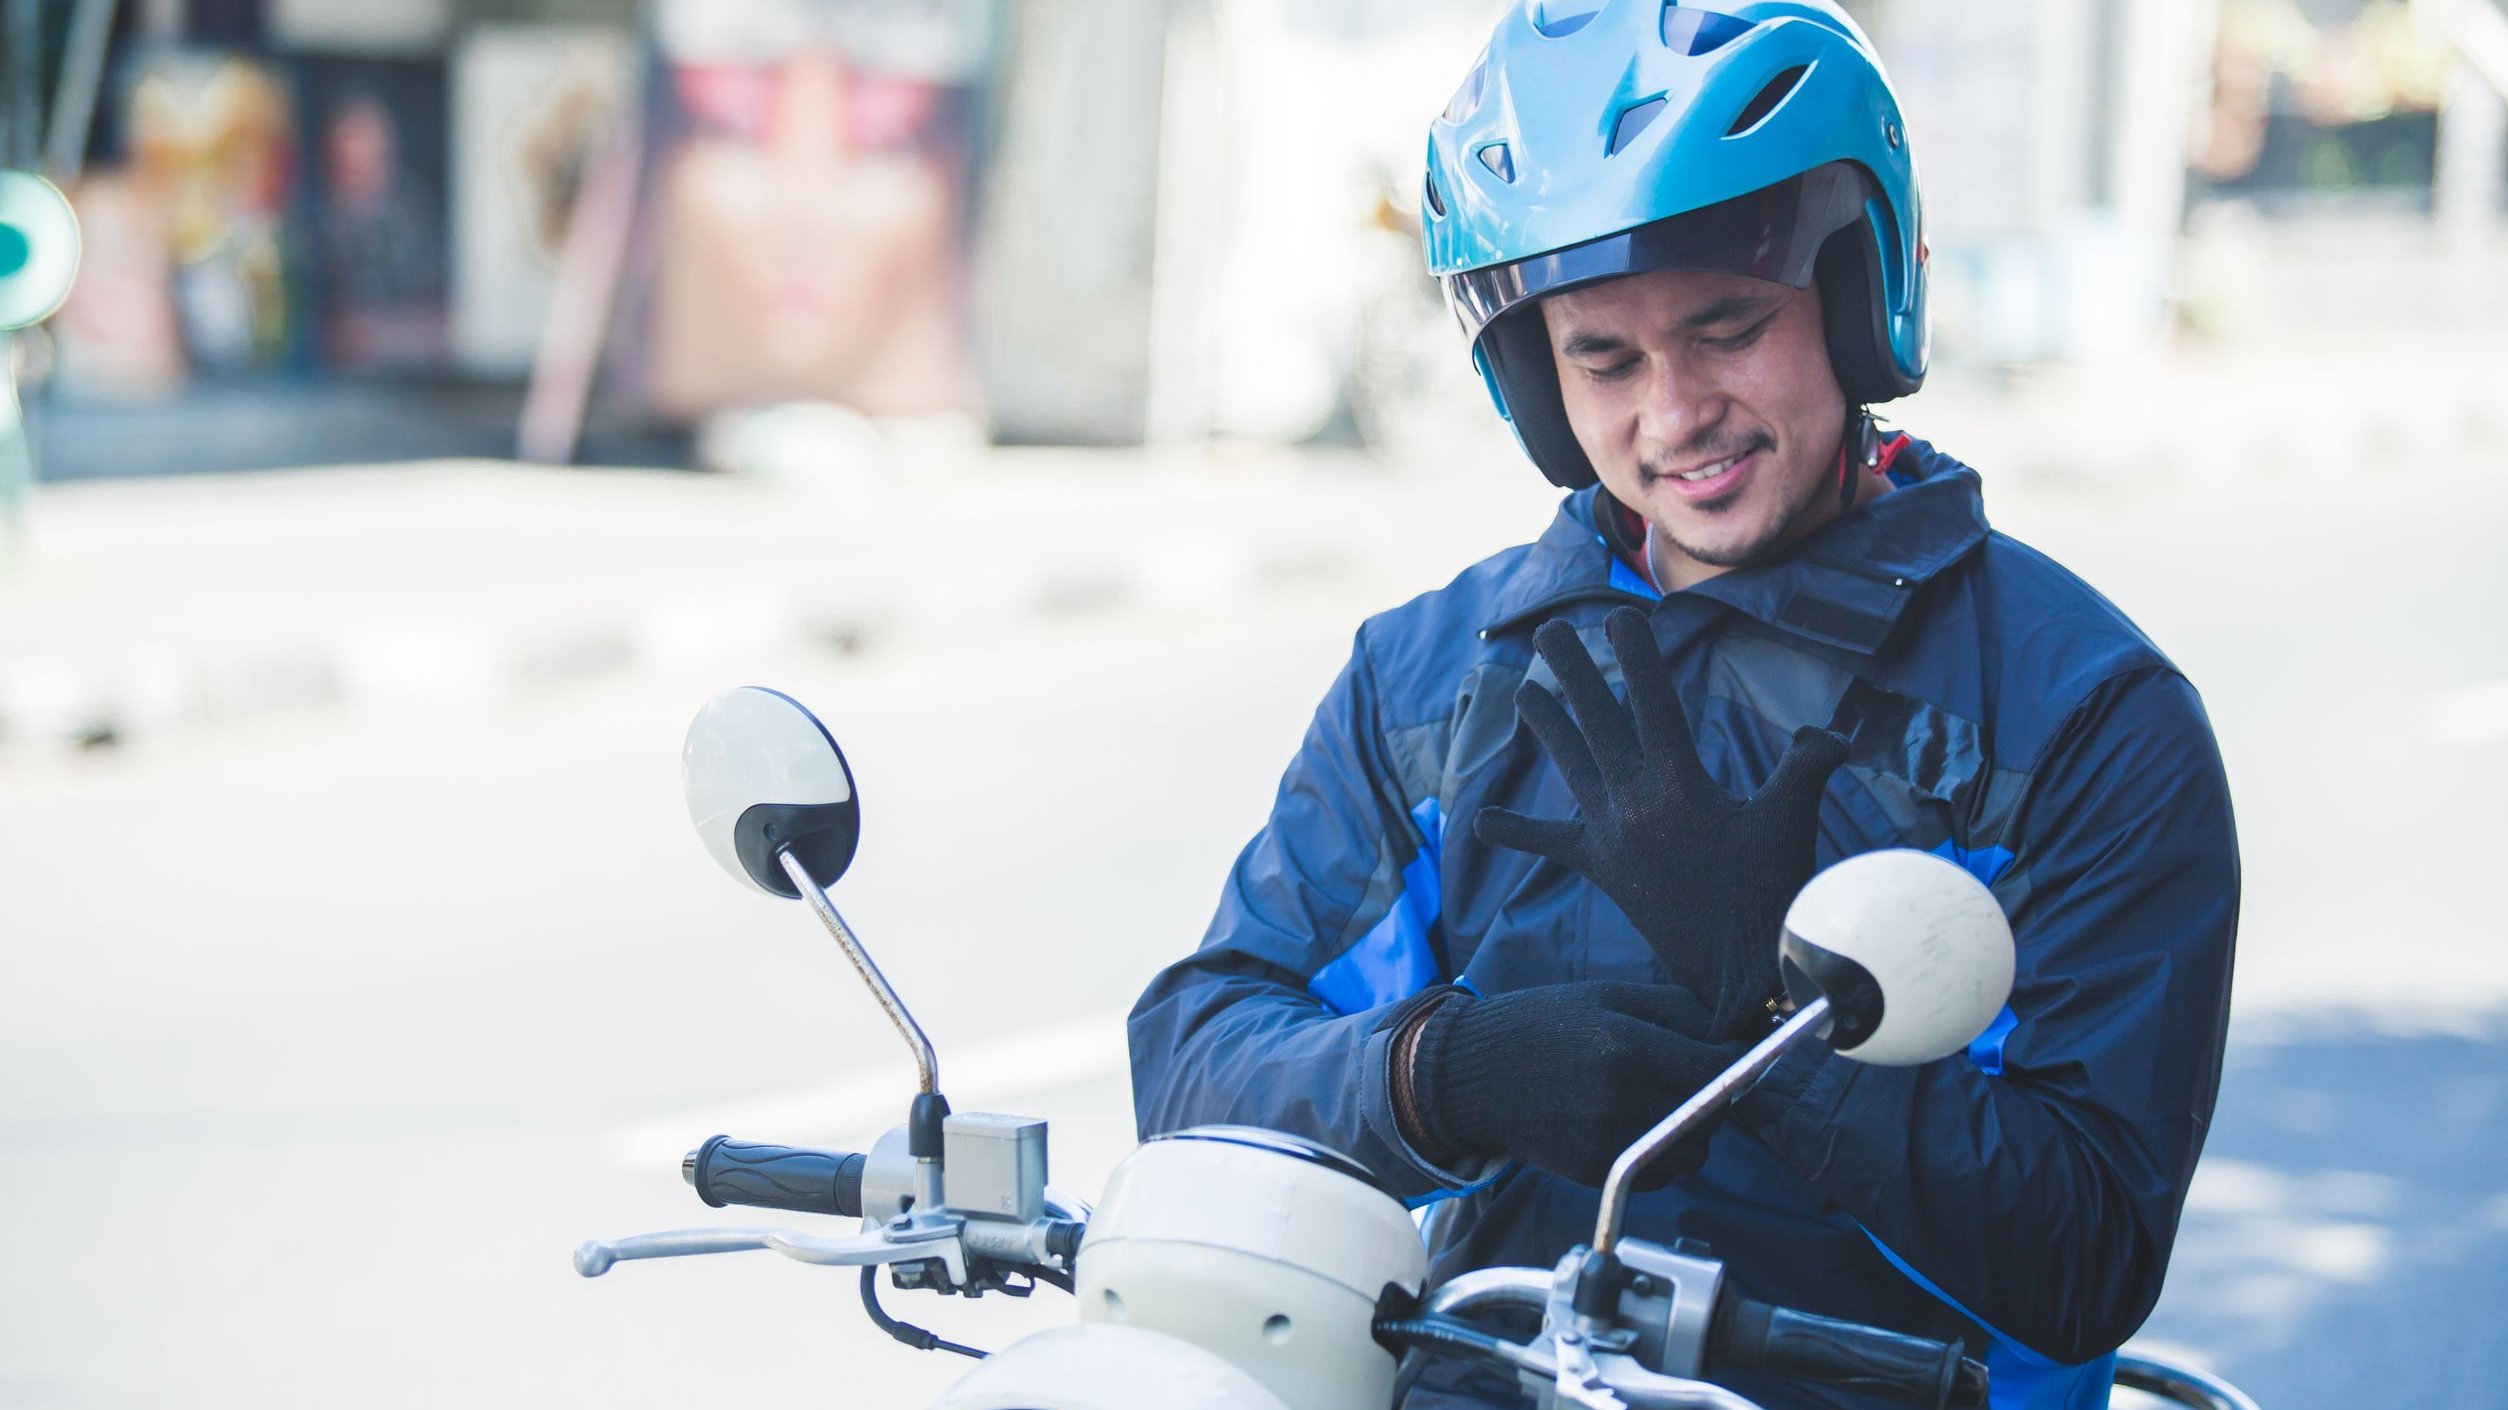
(2105, 174)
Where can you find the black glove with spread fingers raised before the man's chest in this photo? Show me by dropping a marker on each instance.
(1702, 874)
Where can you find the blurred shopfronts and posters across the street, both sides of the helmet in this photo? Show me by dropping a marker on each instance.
(355, 230)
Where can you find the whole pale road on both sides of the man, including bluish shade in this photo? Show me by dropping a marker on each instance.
(327, 1040)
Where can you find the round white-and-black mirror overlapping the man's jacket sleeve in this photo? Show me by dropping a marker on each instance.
(1912, 952)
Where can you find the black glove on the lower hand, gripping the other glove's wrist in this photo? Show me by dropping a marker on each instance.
(1564, 1078)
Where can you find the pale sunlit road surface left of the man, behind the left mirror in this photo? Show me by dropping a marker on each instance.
(317, 1070)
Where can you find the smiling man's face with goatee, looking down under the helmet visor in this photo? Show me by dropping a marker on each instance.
(1707, 405)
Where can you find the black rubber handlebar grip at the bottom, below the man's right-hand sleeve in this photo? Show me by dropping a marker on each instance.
(1779, 1341)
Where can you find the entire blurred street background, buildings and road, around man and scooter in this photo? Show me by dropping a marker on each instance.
(458, 393)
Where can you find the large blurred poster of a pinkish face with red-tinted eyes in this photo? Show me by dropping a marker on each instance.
(809, 204)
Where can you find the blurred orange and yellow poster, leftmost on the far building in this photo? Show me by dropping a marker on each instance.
(214, 147)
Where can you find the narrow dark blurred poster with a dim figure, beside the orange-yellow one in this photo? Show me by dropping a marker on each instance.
(375, 209)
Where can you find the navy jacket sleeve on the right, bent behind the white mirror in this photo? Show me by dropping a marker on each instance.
(2038, 1183)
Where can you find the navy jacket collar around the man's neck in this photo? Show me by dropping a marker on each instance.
(1845, 586)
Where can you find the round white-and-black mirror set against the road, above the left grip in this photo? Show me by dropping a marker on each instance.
(764, 779)
